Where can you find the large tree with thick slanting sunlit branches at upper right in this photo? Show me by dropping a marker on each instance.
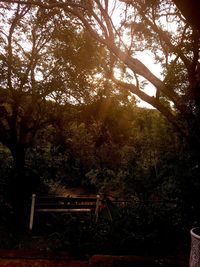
(146, 25)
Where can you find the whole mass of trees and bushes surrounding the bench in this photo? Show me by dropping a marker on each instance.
(65, 121)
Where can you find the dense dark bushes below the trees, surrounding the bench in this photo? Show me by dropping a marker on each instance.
(118, 149)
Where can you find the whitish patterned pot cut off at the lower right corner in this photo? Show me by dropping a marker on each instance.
(195, 247)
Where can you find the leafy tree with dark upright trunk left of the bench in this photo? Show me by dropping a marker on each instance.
(37, 80)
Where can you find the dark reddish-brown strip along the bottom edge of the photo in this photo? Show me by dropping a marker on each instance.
(39, 259)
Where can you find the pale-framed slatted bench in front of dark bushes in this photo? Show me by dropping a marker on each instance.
(63, 204)
